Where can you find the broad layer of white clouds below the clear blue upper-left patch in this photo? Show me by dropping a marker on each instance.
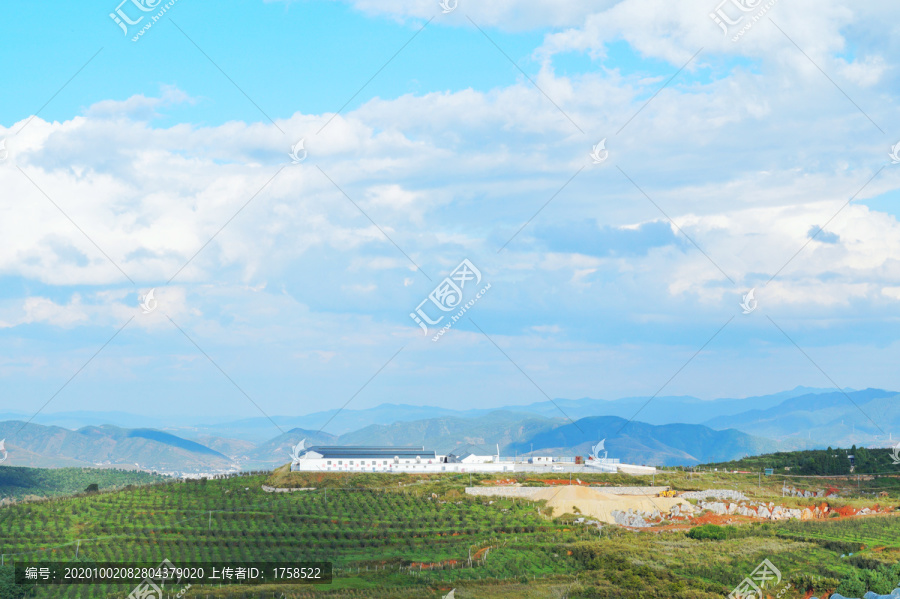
(749, 169)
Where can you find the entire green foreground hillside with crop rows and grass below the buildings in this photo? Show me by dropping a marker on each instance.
(420, 536)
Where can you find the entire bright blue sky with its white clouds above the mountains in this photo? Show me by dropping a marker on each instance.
(171, 155)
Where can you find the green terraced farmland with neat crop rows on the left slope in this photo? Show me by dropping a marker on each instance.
(233, 519)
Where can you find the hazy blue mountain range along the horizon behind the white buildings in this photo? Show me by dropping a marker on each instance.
(664, 431)
